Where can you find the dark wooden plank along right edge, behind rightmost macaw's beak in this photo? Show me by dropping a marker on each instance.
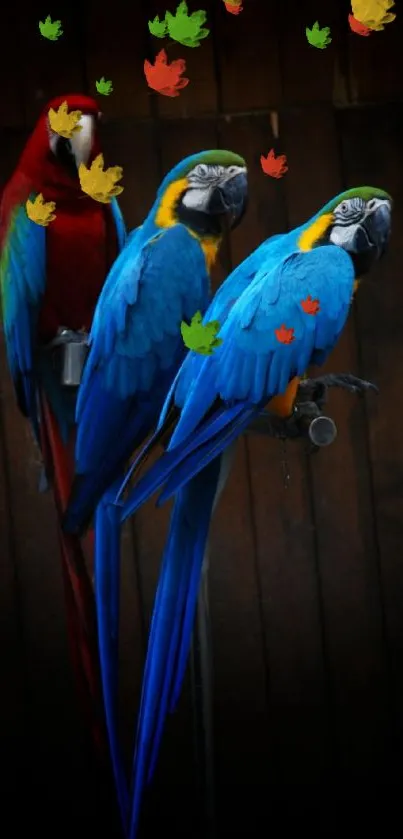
(377, 159)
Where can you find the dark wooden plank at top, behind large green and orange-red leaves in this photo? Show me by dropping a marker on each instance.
(199, 97)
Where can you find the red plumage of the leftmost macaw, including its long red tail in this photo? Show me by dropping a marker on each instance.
(81, 247)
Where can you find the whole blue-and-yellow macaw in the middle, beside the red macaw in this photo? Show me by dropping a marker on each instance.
(135, 348)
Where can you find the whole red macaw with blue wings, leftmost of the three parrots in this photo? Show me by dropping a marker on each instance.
(50, 279)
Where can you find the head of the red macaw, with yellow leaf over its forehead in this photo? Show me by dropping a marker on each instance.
(51, 161)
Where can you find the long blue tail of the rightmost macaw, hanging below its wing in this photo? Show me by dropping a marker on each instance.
(172, 623)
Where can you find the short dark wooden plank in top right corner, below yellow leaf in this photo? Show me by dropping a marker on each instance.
(376, 64)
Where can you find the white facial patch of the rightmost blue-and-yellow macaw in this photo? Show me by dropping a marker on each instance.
(349, 217)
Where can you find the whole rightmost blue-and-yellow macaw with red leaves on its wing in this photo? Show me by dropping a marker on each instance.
(281, 310)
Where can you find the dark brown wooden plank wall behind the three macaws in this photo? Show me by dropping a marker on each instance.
(306, 584)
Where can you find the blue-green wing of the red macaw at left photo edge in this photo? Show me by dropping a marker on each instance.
(22, 280)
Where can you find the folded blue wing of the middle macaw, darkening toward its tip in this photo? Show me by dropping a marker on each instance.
(135, 349)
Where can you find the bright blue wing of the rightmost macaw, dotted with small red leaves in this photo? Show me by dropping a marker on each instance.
(252, 365)
